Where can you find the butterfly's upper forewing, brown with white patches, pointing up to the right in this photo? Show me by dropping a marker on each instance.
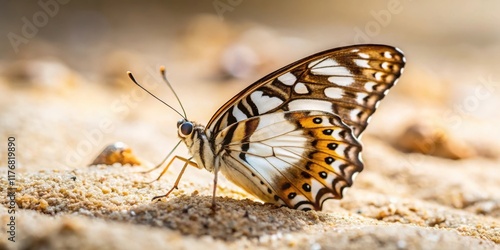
(348, 81)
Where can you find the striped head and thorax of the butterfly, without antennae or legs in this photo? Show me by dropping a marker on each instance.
(194, 136)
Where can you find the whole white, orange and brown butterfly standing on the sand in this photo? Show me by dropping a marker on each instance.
(293, 137)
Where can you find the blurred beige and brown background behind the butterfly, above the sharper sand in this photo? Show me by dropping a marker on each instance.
(65, 95)
